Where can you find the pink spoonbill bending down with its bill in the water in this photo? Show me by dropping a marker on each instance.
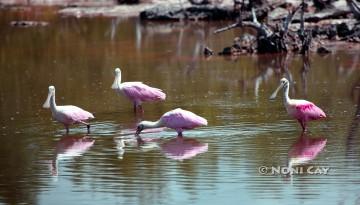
(177, 119)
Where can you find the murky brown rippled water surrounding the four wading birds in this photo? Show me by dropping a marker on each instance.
(39, 164)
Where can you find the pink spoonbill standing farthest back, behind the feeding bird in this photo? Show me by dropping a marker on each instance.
(137, 92)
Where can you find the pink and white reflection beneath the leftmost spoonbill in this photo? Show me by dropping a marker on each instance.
(69, 147)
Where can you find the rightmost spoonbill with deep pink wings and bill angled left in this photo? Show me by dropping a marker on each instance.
(301, 110)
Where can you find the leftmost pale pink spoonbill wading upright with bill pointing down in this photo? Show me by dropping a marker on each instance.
(66, 114)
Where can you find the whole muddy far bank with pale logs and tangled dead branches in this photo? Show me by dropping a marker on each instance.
(279, 26)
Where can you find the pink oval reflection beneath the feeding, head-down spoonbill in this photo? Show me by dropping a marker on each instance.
(181, 148)
